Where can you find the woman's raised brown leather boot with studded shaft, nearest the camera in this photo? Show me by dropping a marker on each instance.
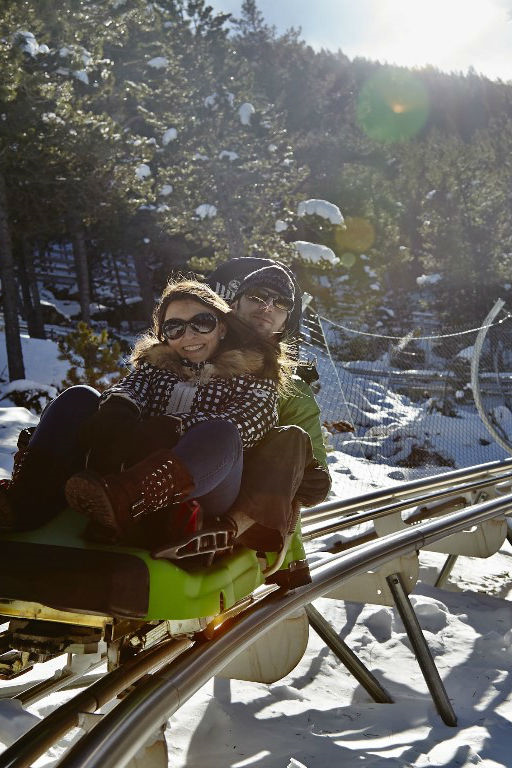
(116, 501)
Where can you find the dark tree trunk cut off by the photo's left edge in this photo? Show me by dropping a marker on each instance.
(9, 293)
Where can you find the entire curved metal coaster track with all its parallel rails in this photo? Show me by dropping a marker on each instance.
(176, 669)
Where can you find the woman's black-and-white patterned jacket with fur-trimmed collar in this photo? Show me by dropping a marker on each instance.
(227, 388)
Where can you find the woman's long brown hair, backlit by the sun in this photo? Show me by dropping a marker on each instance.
(277, 363)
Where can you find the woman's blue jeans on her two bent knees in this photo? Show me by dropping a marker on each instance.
(211, 450)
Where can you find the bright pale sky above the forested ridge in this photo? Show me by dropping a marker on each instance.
(451, 35)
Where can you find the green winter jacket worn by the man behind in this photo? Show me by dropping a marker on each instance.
(300, 408)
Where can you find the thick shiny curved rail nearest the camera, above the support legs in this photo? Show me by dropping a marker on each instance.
(121, 733)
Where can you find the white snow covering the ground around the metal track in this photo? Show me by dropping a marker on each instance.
(319, 715)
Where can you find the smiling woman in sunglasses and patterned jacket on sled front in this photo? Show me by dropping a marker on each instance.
(203, 389)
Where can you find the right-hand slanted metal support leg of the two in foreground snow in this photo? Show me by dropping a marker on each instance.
(421, 650)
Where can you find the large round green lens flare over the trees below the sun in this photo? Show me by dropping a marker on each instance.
(392, 106)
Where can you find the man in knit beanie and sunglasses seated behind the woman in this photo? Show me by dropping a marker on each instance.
(288, 469)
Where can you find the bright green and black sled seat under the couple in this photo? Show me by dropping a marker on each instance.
(54, 566)
